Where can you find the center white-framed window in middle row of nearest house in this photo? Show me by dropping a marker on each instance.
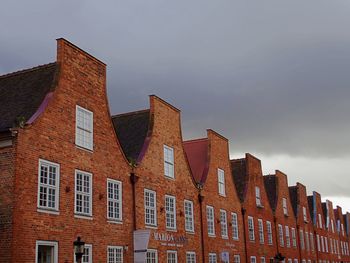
(83, 193)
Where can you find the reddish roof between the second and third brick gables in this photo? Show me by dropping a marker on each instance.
(198, 158)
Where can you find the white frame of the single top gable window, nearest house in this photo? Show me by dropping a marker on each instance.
(90, 132)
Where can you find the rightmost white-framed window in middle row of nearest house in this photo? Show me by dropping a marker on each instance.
(114, 199)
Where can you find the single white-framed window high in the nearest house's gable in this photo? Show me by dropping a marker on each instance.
(84, 128)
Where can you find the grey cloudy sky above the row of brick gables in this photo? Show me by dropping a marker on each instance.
(272, 76)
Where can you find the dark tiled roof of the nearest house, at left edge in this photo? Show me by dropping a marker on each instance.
(23, 92)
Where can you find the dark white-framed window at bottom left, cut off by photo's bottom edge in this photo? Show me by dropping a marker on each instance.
(46, 251)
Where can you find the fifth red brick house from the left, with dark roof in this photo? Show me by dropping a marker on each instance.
(276, 186)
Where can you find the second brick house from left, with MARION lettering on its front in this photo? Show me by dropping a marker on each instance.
(166, 199)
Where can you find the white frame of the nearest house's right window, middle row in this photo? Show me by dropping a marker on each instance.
(116, 202)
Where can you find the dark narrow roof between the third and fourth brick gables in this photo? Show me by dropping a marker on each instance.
(240, 177)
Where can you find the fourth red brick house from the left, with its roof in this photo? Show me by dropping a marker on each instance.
(257, 214)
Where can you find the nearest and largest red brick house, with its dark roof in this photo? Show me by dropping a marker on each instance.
(62, 171)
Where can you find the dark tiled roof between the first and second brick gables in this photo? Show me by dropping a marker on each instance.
(132, 129)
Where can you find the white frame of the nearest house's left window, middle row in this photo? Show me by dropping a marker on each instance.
(49, 164)
